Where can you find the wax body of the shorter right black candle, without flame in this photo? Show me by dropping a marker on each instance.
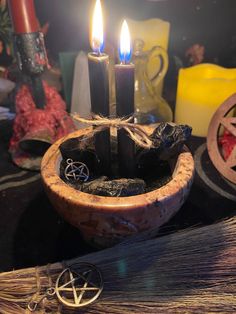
(125, 107)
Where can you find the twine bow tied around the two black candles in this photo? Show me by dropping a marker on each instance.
(136, 132)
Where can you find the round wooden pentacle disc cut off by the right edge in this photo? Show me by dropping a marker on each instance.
(220, 118)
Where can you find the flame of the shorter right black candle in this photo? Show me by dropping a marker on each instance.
(125, 44)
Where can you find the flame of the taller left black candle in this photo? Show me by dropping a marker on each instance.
(97, 28)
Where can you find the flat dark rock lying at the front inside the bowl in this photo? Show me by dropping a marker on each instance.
(119, 188)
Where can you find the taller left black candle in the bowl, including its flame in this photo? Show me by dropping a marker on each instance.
(99, 88)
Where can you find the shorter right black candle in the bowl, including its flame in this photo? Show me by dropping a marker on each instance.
(124, 77)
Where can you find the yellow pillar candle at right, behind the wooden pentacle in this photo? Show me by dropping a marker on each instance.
(201, 90)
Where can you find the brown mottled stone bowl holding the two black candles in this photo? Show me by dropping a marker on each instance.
(105, 221)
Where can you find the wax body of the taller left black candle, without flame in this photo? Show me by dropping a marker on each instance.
(99, 88)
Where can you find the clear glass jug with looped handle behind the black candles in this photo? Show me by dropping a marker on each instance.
(150, 106)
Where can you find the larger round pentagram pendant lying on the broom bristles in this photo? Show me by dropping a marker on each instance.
(79, 285)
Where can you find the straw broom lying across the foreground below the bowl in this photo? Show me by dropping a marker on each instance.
(192, 271)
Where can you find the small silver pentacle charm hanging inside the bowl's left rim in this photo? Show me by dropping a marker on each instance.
(76, 170)
